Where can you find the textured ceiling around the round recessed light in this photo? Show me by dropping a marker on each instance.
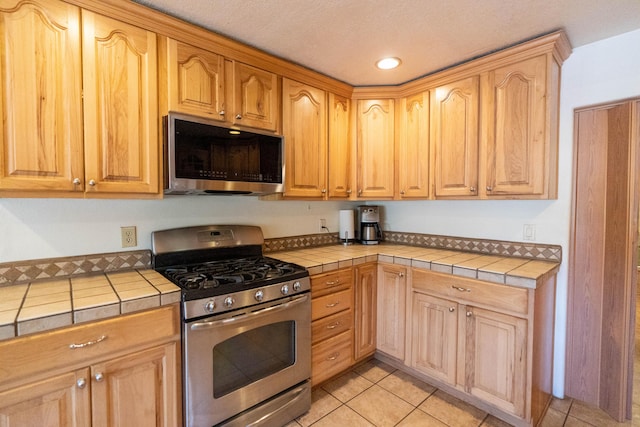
(344, 38)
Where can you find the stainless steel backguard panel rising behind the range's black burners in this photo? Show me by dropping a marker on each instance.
(204, 237)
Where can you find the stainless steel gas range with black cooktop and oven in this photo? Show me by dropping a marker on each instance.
(246, 334)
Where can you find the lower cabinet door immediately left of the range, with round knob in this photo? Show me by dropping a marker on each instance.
(138, 389)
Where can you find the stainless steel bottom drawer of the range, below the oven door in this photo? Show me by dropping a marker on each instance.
(276, 412)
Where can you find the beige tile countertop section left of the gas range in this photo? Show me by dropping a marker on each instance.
(48, 304)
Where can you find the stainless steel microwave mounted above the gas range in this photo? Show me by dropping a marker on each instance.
(202, 157)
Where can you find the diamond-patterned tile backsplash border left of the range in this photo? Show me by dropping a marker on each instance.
(25, 271)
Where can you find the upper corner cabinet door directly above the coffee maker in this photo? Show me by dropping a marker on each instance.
(375, 148)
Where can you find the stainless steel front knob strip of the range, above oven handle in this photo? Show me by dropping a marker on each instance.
(201, 307)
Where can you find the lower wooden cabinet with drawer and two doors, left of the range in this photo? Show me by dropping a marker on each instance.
(124, 377)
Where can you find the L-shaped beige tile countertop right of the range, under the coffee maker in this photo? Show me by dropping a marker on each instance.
(504, 270)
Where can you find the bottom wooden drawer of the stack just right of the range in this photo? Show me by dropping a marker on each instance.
(331, 357)
